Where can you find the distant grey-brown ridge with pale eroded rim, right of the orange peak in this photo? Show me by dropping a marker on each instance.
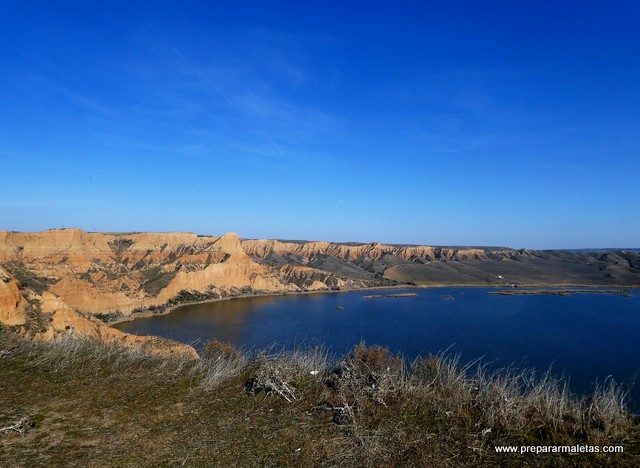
(425, 265)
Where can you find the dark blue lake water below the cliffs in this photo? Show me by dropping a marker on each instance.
(586, 337)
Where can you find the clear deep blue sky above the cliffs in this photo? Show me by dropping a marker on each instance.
(441, 122)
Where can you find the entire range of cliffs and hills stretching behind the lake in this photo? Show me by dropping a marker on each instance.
(56, 282)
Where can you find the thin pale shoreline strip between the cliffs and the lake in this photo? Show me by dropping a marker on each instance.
(169, 309)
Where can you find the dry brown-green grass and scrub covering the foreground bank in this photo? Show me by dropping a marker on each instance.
(91, 404)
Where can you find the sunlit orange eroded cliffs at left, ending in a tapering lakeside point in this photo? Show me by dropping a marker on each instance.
(59, 282)
